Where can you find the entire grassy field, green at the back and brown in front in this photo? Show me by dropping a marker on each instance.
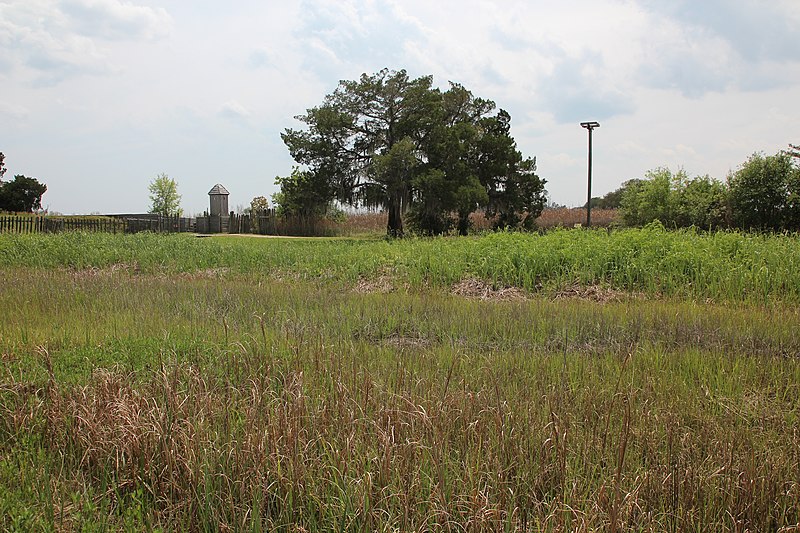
(634, 380)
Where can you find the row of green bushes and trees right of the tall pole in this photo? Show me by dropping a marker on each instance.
(762, 195)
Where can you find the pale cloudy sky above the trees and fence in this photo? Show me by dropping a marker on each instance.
(98, 97)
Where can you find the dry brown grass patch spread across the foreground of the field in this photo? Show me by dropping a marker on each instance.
(417, 452)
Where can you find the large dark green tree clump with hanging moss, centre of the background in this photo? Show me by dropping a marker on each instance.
(423, 154)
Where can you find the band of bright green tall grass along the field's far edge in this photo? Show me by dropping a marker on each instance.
(724, 266)
